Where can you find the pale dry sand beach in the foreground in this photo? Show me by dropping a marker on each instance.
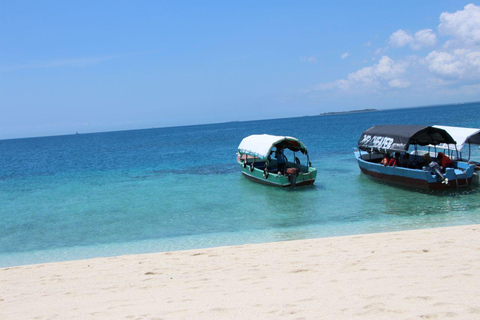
(422, 274)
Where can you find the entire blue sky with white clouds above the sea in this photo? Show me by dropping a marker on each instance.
(104, 65)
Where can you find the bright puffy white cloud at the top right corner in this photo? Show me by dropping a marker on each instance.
(463, 25)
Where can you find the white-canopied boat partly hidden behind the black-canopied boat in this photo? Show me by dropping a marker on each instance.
(463, 137)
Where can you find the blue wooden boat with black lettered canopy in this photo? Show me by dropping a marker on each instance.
(415, 168)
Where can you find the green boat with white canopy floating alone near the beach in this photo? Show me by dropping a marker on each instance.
(261, 158)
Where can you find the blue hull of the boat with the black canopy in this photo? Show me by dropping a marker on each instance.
(415, 178)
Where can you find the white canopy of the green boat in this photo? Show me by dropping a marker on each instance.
(260, 145)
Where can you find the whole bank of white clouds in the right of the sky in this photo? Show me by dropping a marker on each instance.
(452, 66)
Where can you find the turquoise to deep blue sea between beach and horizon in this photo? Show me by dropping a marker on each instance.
(104, 194)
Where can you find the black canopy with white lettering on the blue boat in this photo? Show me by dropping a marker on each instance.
(391, 138)
